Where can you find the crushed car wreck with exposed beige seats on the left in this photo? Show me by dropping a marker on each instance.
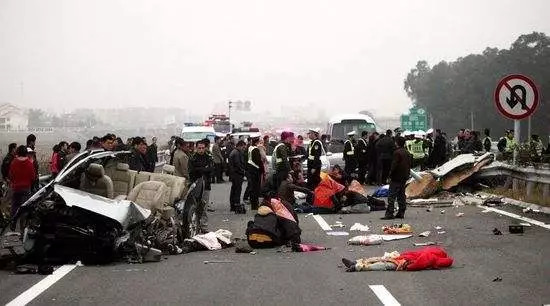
(96, 210)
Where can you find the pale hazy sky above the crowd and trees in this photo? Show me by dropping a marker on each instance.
(341, 55)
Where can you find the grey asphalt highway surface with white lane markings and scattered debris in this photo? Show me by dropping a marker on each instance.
(318, 278)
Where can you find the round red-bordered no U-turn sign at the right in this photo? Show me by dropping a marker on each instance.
(516, 96)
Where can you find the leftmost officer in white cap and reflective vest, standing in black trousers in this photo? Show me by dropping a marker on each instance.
(254, 169)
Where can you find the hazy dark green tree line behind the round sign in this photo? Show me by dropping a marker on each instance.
(454, 92)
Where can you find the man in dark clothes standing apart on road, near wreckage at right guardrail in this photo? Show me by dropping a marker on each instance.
(399, 174)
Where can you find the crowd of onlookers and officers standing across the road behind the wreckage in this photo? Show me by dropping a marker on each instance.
(372, 158)
